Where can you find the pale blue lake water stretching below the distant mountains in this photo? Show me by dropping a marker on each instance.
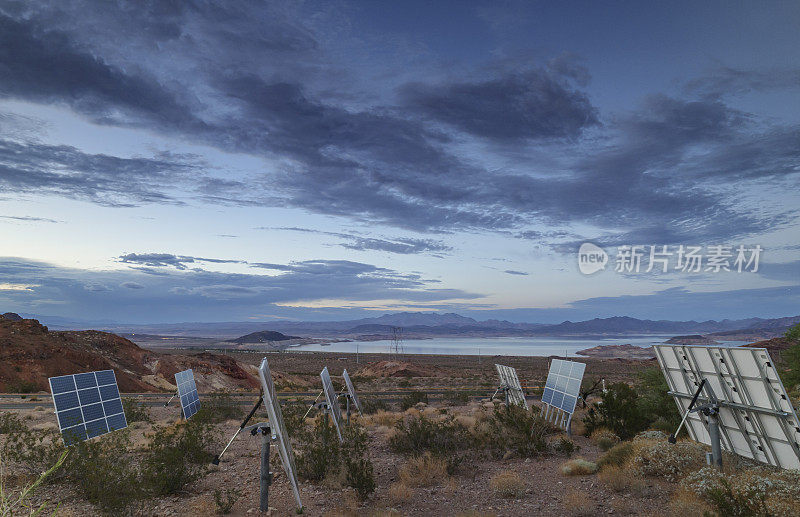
(523, 346)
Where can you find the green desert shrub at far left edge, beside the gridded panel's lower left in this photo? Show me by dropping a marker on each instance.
(33, 451)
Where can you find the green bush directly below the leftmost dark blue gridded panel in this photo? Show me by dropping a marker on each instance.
(105, 473)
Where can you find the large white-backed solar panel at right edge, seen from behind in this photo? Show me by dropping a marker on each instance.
(756, 416)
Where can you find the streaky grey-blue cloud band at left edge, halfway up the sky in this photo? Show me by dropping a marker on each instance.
(32, 167)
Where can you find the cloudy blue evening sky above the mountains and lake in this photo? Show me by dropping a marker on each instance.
(258, 161)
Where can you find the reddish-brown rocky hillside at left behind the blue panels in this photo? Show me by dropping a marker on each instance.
(30, 353)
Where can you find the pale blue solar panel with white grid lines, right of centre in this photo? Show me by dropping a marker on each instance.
(562, 391)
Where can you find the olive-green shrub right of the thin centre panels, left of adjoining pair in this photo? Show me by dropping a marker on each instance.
(447, 439)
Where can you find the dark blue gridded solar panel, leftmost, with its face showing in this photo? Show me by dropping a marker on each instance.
(87, 405)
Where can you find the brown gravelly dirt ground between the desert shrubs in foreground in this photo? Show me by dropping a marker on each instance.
(546, 490)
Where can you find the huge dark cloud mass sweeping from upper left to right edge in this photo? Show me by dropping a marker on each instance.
(670, 166)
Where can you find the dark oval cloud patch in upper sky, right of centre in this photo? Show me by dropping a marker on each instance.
(535, 104)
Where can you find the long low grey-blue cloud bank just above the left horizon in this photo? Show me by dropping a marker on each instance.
(184, 295)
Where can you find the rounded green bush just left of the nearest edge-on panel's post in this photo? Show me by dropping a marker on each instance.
(178, 455)
